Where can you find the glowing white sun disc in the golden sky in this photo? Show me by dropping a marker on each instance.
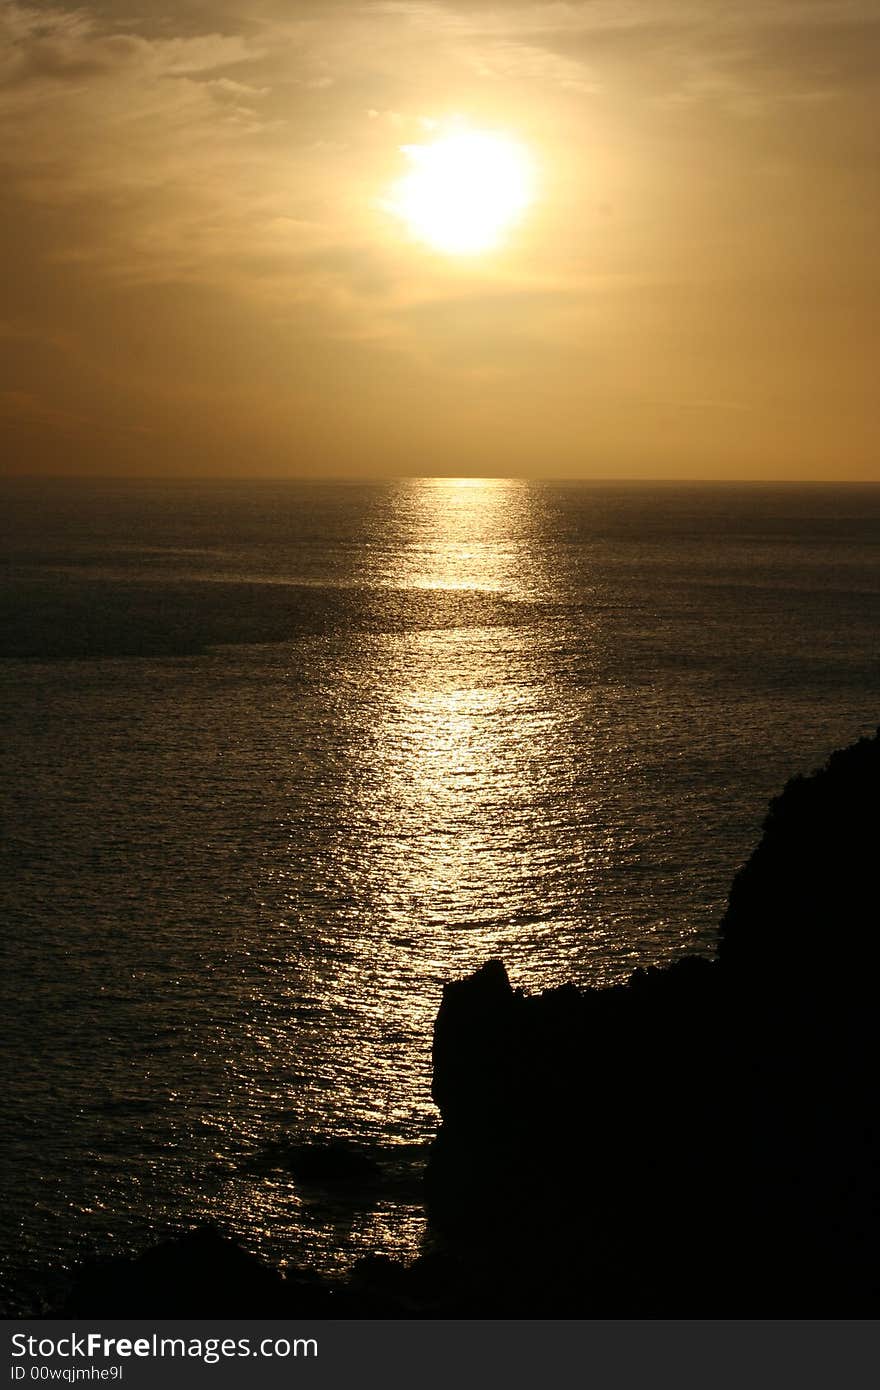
(464, 191)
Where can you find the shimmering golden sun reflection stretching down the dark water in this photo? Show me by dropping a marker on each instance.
(446, 835)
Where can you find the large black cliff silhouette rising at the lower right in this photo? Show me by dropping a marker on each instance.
(704, 1139)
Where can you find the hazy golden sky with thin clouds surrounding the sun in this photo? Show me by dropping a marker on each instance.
(201, 275)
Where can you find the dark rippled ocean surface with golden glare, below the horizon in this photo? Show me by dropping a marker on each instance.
(280, 760)
